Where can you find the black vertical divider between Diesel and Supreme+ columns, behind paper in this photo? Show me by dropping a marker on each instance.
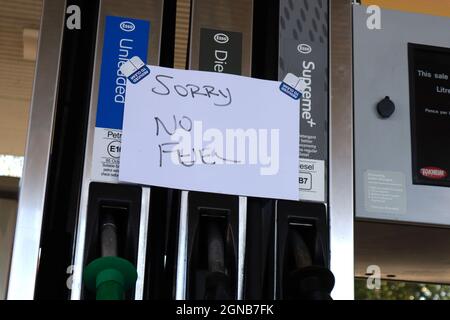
(257, 256)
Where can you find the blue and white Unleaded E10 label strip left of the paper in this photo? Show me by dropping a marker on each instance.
(124, 38)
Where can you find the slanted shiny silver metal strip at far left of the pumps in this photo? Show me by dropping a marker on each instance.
(33, 184)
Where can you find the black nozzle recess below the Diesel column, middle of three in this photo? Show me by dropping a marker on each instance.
(213, 230)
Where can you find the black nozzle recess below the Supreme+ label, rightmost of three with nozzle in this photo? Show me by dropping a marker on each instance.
(301, 249)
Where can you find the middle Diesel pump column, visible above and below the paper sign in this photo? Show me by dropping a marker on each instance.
(219, 220)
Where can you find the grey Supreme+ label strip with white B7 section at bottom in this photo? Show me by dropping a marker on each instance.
(304, 23)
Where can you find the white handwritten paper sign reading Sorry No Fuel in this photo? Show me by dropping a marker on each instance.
(210, 132)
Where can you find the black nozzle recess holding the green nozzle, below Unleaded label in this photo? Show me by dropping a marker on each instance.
(112, 236)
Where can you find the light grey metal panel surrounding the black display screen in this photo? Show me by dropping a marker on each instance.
(381, 69)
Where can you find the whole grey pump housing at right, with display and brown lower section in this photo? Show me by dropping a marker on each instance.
(400, 108)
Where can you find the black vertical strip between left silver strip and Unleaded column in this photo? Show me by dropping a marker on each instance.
(66, 161)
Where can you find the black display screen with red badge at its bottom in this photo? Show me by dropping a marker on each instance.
(429, 79)
